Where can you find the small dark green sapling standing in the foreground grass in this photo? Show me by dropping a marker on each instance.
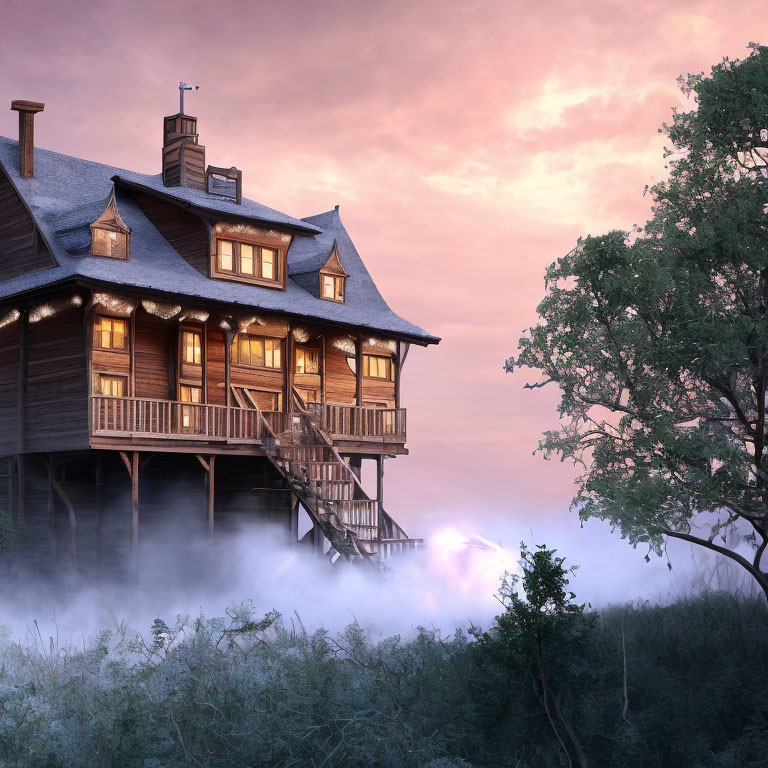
(539, 633)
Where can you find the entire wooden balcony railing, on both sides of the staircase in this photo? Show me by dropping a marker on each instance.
(171, 419)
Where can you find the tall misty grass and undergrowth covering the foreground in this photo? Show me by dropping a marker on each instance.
(683, 685)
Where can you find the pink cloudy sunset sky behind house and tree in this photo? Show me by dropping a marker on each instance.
(468, 144)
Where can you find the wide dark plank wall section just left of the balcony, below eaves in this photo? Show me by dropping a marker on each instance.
(56, 415)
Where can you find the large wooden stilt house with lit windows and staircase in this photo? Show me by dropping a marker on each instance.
(162, 337)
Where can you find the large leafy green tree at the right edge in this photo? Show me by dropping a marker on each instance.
(658, 338)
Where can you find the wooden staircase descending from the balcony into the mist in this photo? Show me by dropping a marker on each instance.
(356, 526)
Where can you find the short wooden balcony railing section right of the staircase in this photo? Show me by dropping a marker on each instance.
(360, 422)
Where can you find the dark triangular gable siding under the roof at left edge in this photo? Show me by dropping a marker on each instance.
(22, 249)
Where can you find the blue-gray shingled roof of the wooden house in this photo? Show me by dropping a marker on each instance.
(67, 194)
